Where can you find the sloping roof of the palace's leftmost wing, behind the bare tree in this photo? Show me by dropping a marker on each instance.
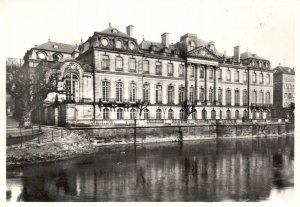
(57, 47)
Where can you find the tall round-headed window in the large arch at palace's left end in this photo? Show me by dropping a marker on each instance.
(72, 86)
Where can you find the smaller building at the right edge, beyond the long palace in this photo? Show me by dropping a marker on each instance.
(284, 88)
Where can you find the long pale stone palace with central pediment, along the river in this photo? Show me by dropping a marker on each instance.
(111, 76)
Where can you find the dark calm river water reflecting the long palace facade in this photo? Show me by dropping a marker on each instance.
(238, 170)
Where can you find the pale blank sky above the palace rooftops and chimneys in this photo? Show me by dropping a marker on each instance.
(264, 27)
